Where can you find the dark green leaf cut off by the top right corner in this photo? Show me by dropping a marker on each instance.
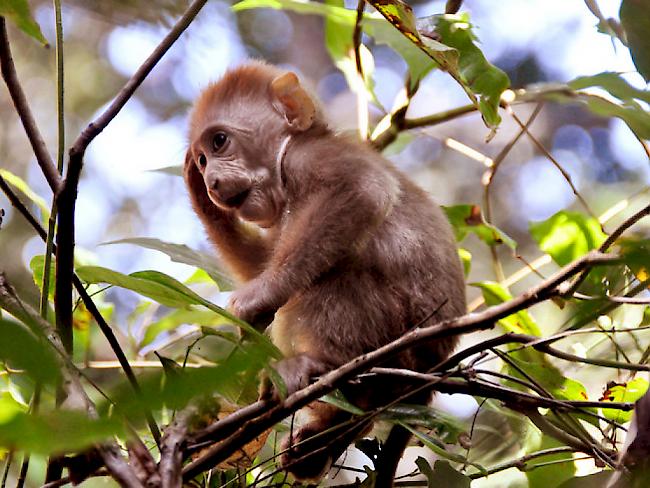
(636, 22)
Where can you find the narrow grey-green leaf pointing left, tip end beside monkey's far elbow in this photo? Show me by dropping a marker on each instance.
(180, 253)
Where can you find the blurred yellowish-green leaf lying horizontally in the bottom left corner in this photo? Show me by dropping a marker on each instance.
(64, 430)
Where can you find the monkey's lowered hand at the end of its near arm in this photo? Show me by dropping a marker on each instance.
(256, 302)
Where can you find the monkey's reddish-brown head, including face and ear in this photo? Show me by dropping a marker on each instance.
(239, 130)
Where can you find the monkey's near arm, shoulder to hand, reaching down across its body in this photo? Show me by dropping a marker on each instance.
(330, 224)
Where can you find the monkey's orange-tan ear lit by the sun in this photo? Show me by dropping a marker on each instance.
(291, 100)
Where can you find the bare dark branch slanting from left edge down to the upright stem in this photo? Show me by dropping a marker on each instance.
(24, 112)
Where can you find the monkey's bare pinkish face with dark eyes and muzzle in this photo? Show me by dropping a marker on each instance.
(239, 173)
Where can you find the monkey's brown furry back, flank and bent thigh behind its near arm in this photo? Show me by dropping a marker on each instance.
(405, 269)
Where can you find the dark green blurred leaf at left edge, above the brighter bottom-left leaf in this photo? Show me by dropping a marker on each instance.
(22, 350)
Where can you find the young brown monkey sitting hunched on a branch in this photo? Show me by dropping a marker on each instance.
(333, 246)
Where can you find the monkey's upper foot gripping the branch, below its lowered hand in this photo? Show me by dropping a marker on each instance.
(297, 372)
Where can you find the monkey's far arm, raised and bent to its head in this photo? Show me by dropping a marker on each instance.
(244, 250)
